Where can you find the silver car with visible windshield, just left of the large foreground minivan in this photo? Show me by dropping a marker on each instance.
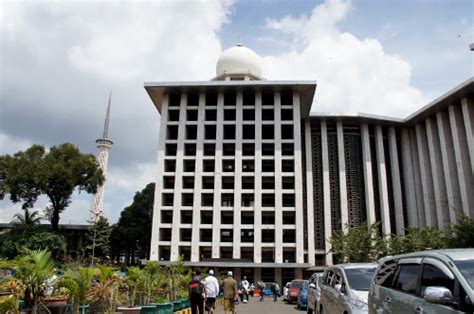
(345, 288)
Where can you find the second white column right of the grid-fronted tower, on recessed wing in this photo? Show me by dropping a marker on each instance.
(326, 194)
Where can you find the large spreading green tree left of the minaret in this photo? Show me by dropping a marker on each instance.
(56, 174)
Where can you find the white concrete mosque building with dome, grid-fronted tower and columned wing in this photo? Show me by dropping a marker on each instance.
(249, 180)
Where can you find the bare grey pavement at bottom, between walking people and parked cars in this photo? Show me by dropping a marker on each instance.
(265, 307)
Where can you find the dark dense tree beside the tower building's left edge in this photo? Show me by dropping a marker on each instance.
(131, 235)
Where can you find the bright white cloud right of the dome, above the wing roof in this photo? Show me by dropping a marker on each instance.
(353, 75)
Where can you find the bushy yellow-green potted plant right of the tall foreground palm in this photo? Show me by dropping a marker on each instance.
(78, 283)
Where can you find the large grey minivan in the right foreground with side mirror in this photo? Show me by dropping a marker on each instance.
(439, 281)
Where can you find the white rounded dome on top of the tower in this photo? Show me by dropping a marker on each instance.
(239, 60)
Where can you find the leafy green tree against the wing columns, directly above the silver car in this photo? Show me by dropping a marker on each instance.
(360, 244)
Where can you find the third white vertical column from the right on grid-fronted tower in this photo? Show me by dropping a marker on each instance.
(257, 245)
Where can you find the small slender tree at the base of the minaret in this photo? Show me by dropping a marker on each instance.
(102, 241)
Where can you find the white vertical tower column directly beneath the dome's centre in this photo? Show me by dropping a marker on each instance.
(238, 175)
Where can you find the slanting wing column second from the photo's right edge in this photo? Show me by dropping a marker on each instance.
(461, 153)
